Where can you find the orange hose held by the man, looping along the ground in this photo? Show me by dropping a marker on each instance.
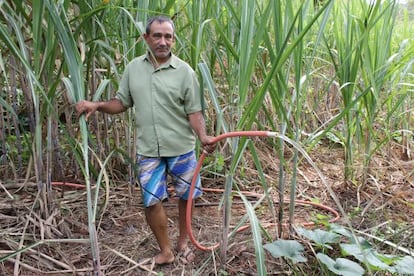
(197, 170)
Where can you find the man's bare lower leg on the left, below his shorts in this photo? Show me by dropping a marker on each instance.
(157, 220)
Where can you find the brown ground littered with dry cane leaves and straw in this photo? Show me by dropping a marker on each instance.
(385, 203)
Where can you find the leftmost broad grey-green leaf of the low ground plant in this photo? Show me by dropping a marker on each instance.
(290, 249)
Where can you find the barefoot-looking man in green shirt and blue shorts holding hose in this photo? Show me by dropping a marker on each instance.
(165, 93)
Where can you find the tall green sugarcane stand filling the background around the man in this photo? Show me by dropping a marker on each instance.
(334, 71)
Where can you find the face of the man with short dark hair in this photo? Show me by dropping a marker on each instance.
(160, 40)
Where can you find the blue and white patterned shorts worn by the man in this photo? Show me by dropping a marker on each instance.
(152, 177)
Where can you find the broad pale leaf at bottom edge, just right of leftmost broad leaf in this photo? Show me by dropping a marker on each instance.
(341, 266)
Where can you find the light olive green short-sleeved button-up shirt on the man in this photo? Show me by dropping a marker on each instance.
(162, 99)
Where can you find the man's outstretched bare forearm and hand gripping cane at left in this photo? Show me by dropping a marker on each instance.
(113, 106)
